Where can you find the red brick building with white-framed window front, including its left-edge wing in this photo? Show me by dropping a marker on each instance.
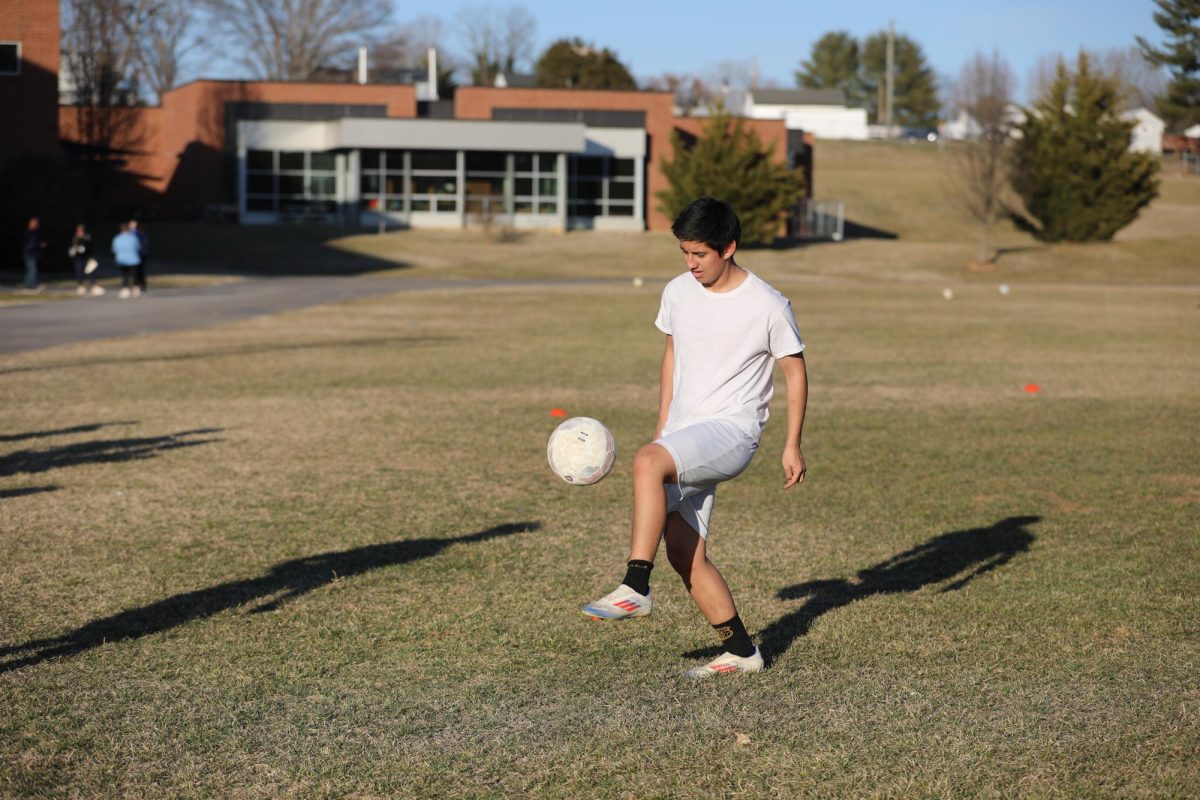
(364, 154)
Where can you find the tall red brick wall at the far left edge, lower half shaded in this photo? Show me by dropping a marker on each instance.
(31, 100)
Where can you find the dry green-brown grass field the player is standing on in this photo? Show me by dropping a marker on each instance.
(321, 555)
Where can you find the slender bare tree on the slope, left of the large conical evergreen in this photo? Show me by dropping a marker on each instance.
(985, 92)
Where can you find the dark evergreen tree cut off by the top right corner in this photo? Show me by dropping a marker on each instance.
(1180, 20)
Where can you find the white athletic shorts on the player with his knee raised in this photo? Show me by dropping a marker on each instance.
(706, 454)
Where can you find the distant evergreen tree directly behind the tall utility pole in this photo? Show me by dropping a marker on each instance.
(915, 88)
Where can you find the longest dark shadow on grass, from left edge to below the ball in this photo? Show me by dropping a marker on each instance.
(284, 584)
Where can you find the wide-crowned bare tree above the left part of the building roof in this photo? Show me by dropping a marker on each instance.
(290, 40)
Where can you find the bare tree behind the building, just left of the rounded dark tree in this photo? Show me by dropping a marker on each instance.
(496, 40)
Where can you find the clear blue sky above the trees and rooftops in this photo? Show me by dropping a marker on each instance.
(655, 37)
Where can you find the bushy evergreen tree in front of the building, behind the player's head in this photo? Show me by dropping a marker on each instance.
(729, 163)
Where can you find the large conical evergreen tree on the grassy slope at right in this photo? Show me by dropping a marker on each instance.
(1072, 165)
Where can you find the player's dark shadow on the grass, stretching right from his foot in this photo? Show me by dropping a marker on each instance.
(956, 558)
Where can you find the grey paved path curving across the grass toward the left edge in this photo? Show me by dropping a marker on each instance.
(39, 326)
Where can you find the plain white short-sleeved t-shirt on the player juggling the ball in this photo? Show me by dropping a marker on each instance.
(725, 346)
